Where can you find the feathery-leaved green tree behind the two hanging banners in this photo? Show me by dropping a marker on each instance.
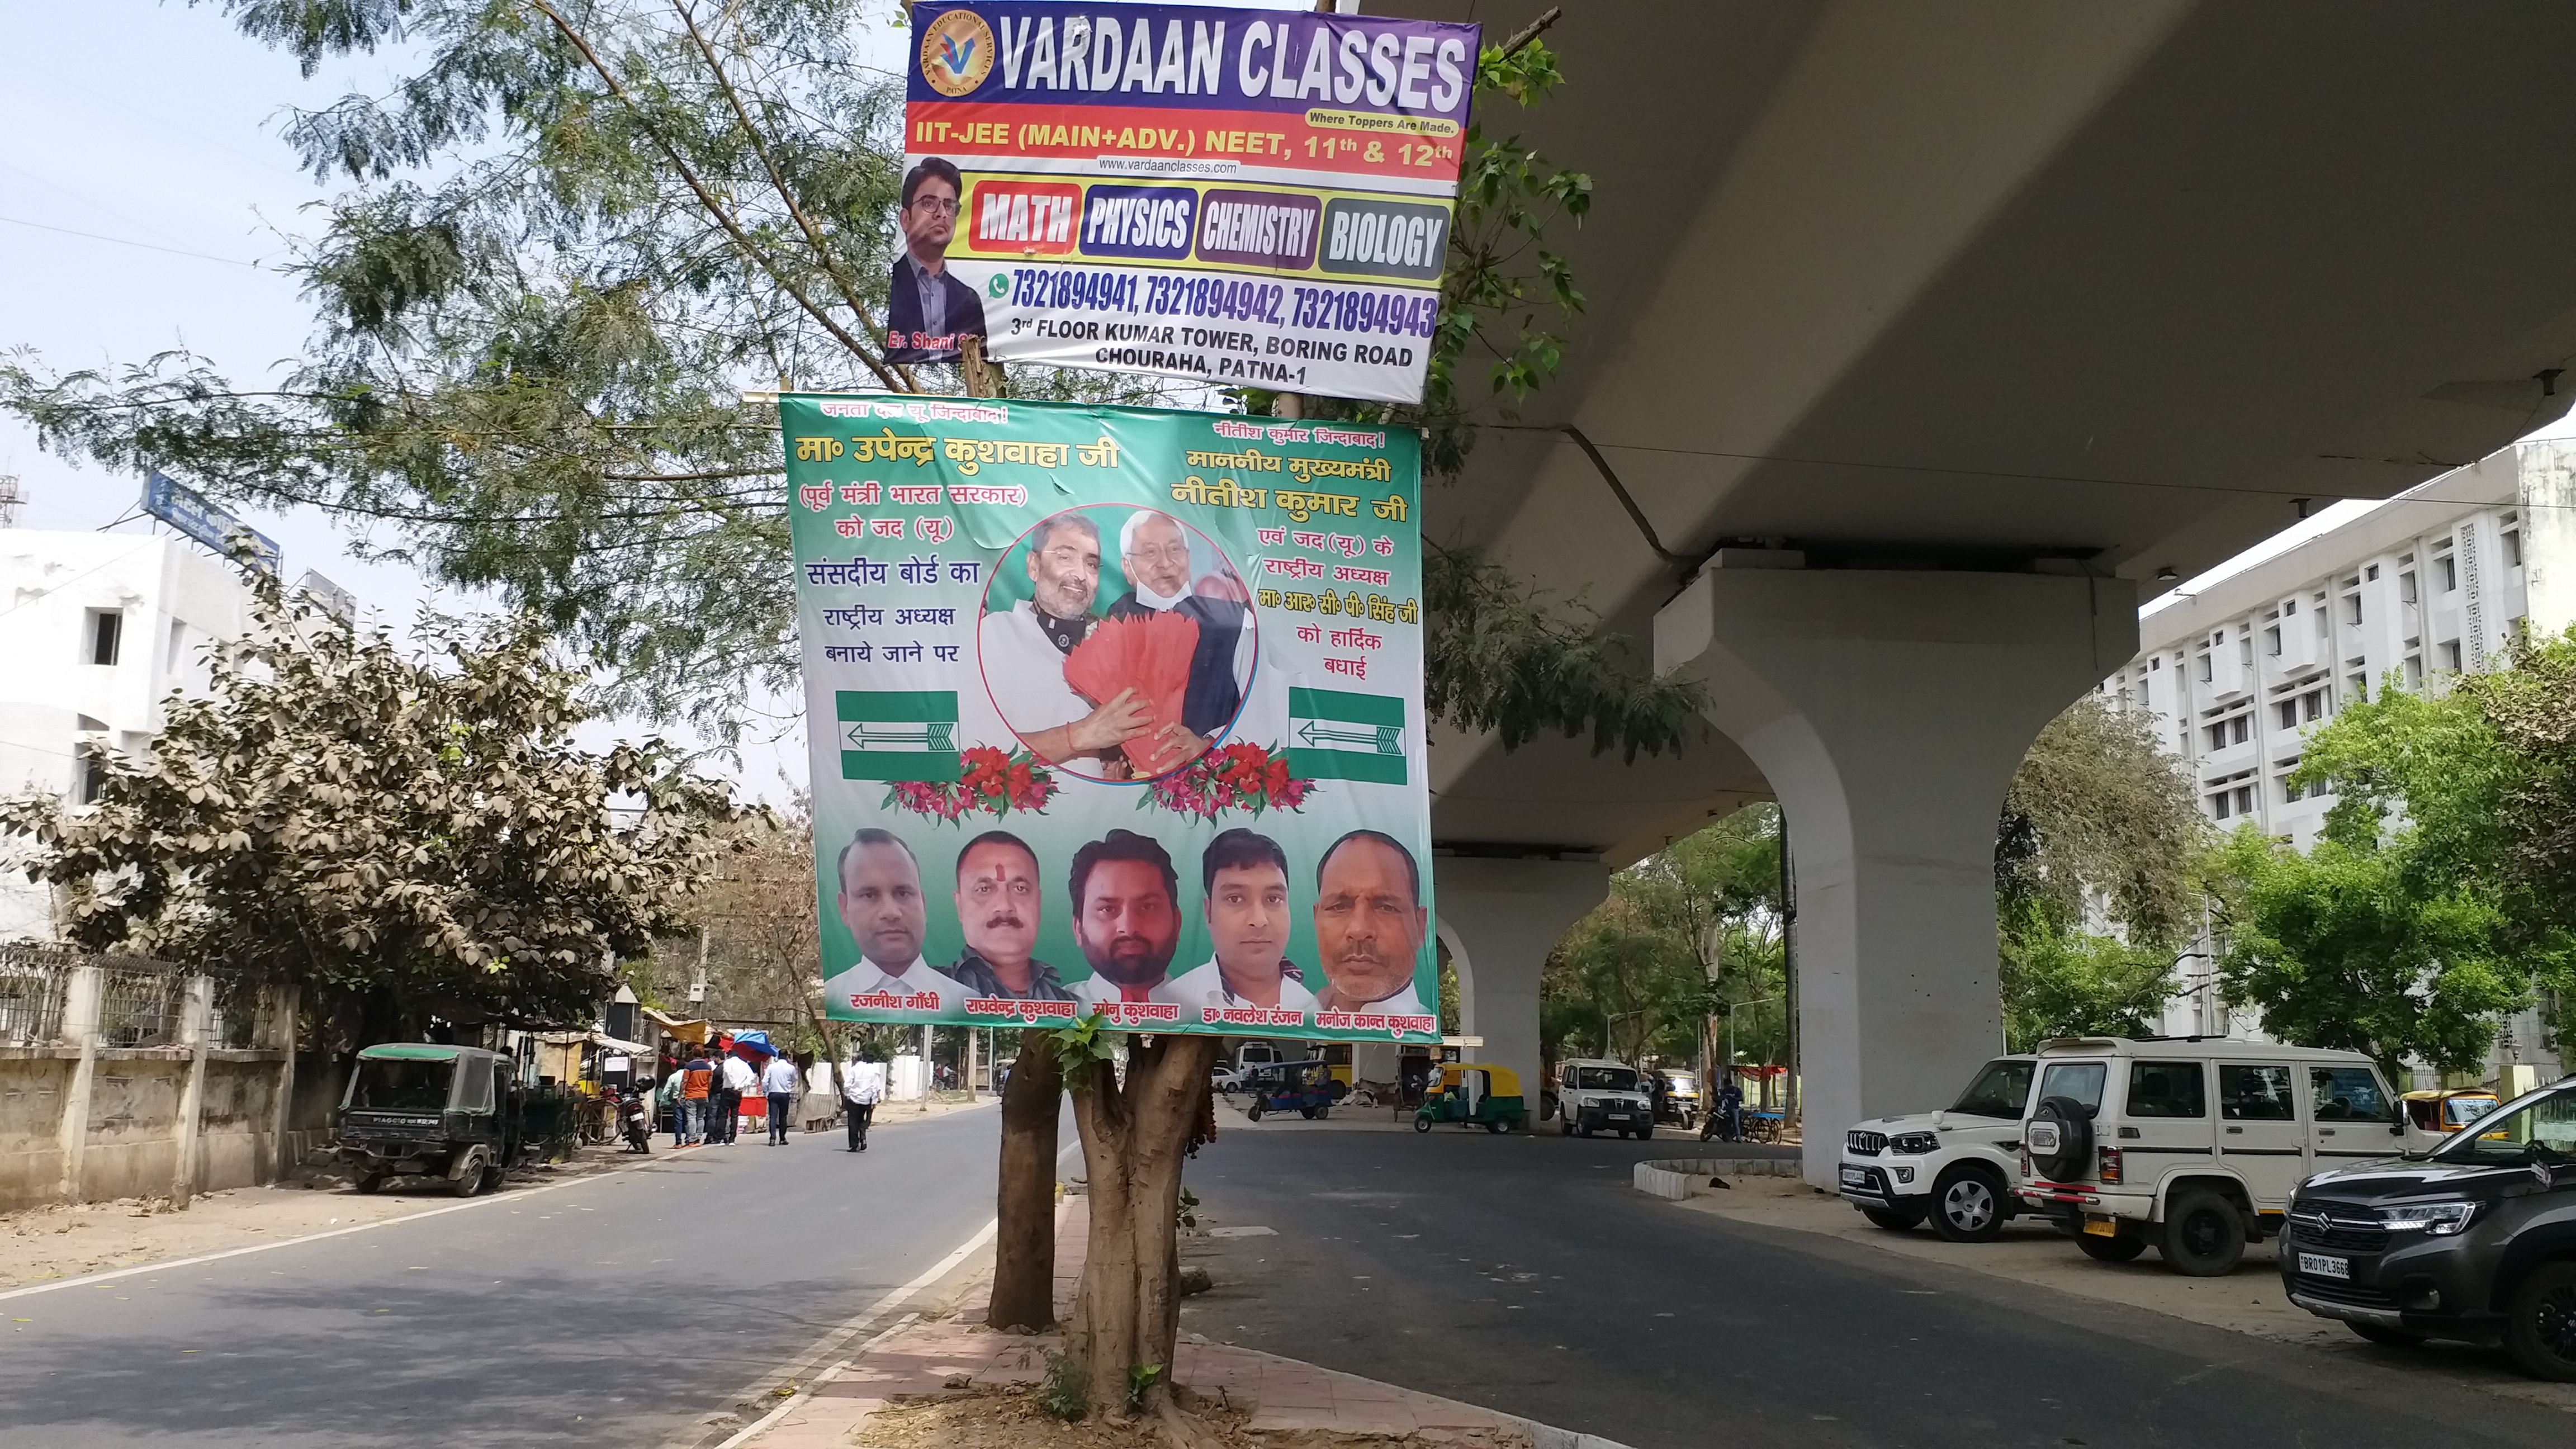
(578, 228)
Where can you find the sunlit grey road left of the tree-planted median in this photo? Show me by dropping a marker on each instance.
(609, 1311)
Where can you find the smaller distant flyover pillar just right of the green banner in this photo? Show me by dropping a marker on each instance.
(1501, 919)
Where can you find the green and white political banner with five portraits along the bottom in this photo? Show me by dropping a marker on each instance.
(1114, 710)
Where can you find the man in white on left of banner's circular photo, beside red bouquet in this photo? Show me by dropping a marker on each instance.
(1021, 654)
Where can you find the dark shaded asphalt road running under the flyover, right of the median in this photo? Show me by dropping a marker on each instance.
(1526, 1275)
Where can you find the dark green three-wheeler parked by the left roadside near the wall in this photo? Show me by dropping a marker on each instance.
(426, 1110)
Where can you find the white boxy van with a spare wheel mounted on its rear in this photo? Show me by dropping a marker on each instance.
(2191, 1146)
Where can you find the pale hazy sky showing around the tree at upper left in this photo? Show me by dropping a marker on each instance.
(146, 202)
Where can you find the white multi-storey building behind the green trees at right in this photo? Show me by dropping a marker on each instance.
(2425, 587)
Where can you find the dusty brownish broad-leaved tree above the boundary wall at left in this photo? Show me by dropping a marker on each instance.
(406, 839)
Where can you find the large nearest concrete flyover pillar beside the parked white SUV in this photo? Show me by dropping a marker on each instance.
(1889, 710)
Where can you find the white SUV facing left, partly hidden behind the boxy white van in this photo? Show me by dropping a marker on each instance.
(1949, 1167)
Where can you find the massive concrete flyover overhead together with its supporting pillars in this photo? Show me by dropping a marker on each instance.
(1920, 344)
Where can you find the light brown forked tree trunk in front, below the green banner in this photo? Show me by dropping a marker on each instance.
(1135, 1138)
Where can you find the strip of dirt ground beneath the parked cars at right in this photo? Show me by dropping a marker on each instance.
(2031, 1252)
